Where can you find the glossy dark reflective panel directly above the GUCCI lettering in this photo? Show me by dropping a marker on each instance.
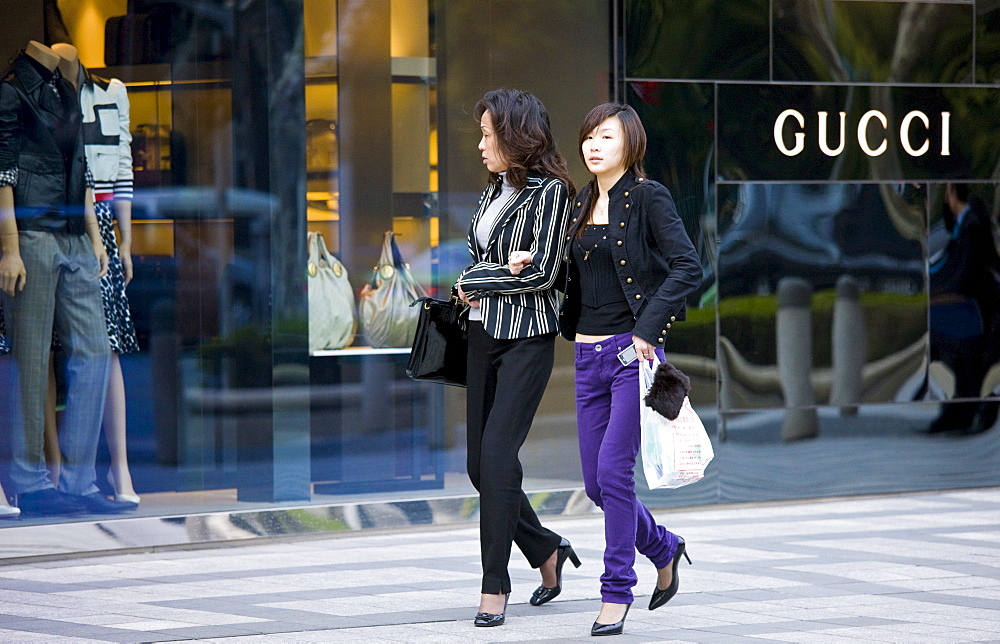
(897, 42)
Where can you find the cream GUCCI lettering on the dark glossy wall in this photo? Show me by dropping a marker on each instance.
(869, 146)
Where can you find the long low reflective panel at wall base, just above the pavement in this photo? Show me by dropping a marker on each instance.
(882, 448)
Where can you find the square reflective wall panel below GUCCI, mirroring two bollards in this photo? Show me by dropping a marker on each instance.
(821, 296)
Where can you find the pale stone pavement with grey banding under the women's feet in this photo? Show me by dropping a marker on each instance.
(901, 568)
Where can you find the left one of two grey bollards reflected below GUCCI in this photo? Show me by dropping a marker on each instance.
(794, 342)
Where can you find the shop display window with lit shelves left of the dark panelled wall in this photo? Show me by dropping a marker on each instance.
(275, 146)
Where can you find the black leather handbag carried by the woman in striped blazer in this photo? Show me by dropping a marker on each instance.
(441, 342)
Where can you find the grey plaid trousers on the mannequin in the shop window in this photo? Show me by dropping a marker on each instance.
(62, 291)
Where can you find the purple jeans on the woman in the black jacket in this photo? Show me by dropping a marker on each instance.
(607, 412)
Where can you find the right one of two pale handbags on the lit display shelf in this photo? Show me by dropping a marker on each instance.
(387, 319)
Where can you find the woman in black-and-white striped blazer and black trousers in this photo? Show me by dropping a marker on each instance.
(512, 328)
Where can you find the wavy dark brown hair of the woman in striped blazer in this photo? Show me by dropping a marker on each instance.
(524, 138)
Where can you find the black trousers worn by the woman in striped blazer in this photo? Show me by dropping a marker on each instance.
(506, 380)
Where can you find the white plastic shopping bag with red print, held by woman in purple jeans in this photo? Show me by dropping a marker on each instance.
(674, 452)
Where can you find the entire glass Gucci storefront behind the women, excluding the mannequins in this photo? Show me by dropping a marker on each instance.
(304, 168)
